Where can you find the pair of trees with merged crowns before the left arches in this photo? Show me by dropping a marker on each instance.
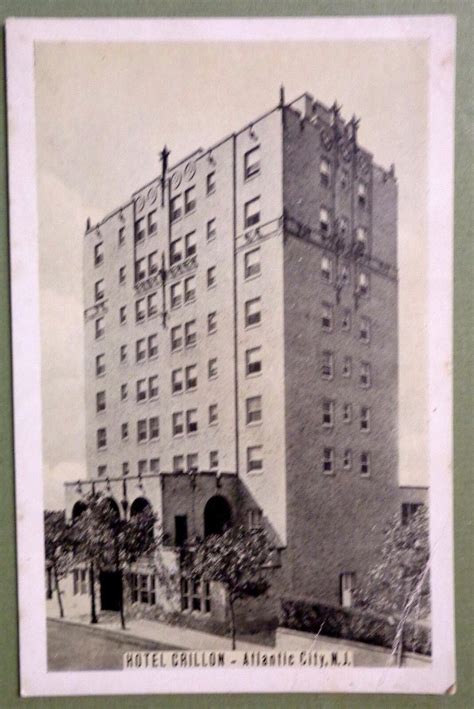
(104, 540)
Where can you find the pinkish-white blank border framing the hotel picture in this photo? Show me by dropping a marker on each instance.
(439, 677)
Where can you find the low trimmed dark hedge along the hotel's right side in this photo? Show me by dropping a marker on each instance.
(352, 624)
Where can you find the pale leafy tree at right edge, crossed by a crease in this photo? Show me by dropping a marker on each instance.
(398, 585)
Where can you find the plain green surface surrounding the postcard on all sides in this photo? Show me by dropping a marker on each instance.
(463, 350)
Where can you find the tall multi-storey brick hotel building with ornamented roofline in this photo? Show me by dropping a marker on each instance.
(241, 351)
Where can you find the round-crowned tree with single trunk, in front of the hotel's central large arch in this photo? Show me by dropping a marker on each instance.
(235, 559)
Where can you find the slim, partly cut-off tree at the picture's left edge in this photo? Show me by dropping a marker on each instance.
(57, 549)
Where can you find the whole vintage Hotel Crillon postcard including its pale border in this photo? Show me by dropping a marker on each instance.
(231, 251)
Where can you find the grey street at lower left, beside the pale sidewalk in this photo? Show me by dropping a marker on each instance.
(71, 647)
